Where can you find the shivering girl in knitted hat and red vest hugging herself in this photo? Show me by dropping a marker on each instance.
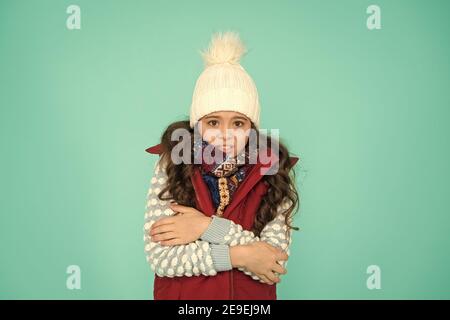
(220, 228)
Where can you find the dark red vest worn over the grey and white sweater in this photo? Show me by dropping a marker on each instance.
(232, 284)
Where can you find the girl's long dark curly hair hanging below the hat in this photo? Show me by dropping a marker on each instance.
(180, 189)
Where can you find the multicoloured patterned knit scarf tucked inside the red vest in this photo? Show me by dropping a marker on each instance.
(222, 178)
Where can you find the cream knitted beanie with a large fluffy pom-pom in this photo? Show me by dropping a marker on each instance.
(224, 85)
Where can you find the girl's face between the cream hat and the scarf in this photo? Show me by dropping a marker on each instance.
(227, 130)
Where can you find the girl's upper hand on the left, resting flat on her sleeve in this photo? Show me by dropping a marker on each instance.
(186, 226)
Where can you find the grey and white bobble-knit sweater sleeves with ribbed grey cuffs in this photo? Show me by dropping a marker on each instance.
(211, 252)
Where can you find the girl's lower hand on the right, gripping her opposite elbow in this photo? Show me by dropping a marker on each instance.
(261, 258)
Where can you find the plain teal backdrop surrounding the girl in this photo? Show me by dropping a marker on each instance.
(366, 111)
